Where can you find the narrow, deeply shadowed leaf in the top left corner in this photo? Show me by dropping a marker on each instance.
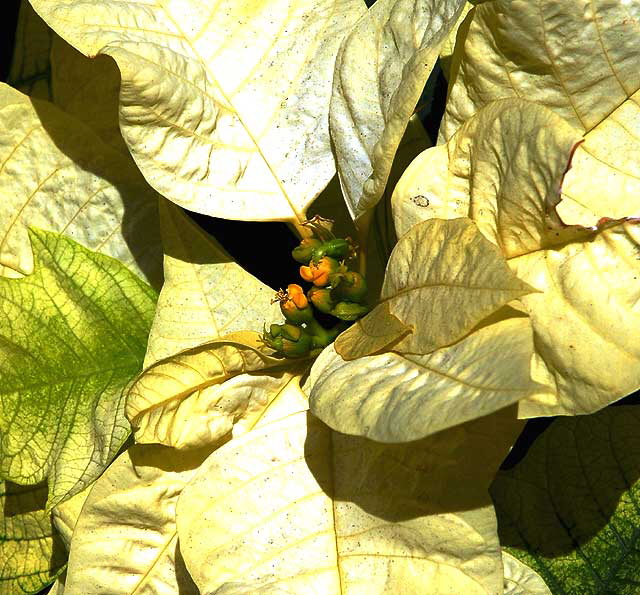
(30, 70)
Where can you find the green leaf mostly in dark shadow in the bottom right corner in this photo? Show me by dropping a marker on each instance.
(571, 508)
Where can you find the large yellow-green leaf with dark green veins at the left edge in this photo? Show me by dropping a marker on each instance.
(72, 334)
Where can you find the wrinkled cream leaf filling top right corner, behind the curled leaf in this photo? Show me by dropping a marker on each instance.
(577, 58)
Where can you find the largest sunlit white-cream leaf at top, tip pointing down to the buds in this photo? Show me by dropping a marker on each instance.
(192, 76)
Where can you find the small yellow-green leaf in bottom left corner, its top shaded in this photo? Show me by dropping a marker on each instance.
(31, 554)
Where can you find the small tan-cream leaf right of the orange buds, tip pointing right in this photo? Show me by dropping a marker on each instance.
(443, 278)
